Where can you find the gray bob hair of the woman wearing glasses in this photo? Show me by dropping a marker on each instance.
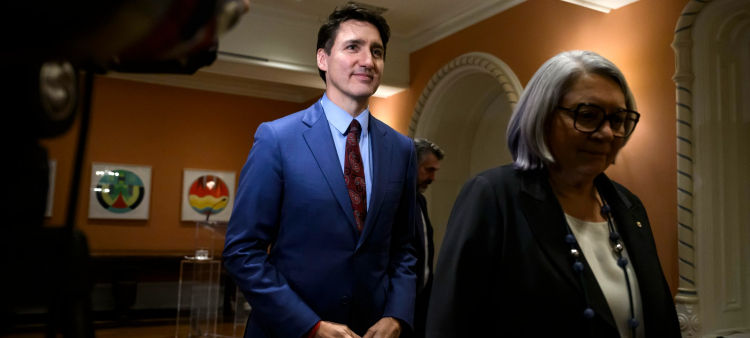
(553, 80)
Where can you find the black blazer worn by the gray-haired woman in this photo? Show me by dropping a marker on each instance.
(506, 270)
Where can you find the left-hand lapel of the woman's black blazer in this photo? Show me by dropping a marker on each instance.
(547, 221)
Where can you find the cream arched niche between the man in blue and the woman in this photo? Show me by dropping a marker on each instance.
(465, 110)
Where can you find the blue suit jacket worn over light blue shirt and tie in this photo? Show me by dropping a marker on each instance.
(292, 196)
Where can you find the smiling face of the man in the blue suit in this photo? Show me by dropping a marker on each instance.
(356, 62)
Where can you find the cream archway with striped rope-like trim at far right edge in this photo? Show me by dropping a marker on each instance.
(712, 47)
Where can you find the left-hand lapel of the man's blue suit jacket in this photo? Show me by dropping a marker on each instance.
(319, 139)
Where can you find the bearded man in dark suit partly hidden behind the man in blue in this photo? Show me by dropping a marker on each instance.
(429, 157)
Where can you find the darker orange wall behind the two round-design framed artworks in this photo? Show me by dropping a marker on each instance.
(169, 129)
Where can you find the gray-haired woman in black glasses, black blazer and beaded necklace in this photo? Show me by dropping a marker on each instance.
(548, 245)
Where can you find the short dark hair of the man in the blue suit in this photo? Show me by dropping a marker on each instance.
(329, 29)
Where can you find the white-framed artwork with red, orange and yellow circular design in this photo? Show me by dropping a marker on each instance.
(207, 195)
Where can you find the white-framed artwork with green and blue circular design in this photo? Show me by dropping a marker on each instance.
(119, 191)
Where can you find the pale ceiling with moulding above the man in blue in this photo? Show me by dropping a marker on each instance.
(270, 52)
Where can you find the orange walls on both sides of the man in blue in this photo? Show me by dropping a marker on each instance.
(136, 123)
